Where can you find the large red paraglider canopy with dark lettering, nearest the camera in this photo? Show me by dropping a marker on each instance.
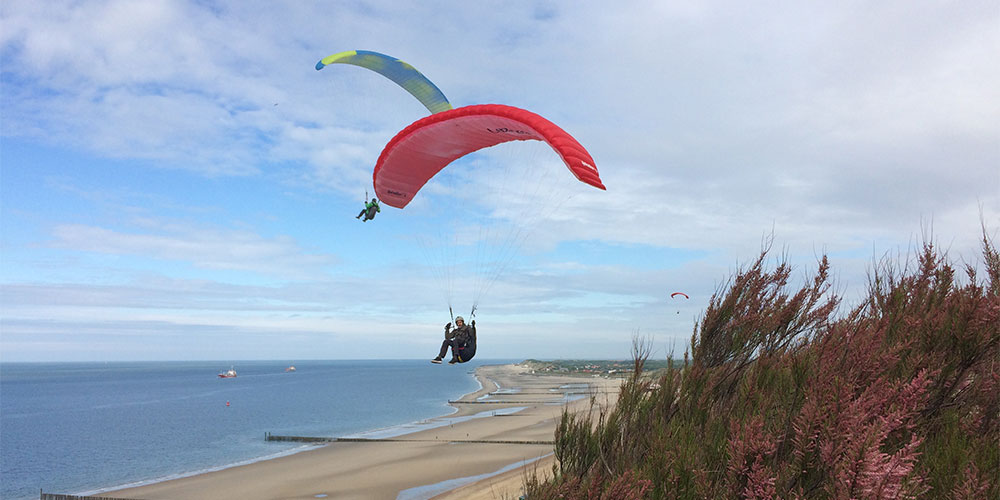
(421, 150)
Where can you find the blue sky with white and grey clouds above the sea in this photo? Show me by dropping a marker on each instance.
(178, 182)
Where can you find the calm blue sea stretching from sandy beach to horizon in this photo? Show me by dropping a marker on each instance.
(89, 428)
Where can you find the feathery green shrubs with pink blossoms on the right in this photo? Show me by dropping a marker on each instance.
(786, 396)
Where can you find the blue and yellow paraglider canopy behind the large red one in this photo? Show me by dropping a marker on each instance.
(403, 74)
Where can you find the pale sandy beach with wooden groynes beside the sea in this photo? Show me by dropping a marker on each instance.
(435, 463)
